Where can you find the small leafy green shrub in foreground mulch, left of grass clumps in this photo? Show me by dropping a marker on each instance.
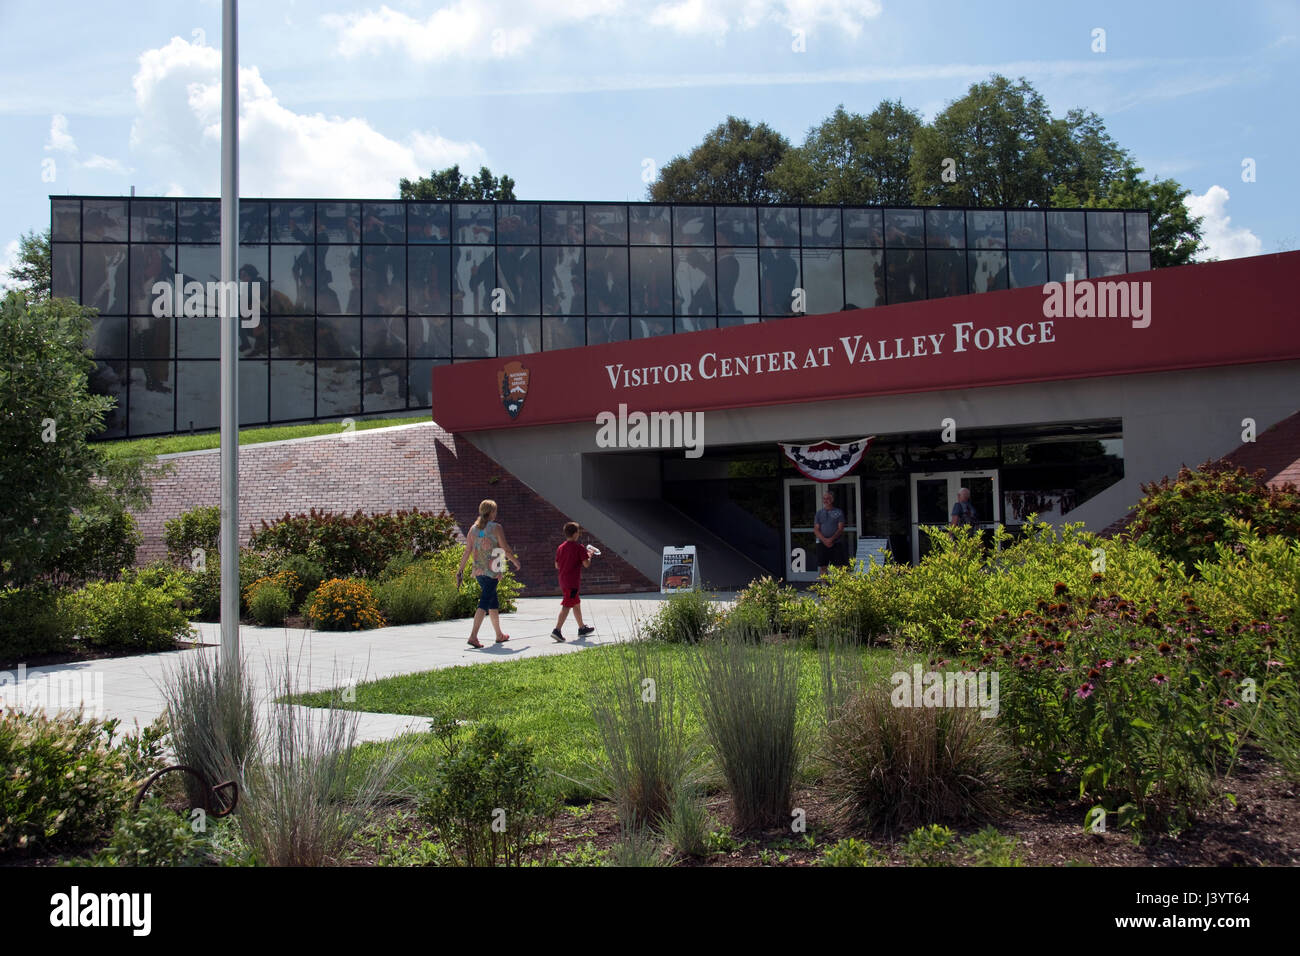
(487, 799)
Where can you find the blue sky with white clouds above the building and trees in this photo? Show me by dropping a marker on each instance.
(577, 98)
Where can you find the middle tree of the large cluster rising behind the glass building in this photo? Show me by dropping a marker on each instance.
(853, 159)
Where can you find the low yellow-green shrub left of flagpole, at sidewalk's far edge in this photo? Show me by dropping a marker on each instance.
(131, 616)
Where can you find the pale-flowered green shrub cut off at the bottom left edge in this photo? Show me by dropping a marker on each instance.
(62, 784)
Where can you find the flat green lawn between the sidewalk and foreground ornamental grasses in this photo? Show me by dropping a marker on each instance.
(544, 699)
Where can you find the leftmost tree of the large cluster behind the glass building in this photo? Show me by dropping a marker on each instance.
(734, 165)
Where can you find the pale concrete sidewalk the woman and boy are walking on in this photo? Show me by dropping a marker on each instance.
(131, 687)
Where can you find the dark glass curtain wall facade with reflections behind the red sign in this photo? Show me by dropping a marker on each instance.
(361, 300)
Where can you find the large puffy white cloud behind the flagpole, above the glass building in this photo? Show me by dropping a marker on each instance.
(281, 153)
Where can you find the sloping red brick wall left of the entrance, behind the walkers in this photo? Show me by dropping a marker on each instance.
(384, 470)
